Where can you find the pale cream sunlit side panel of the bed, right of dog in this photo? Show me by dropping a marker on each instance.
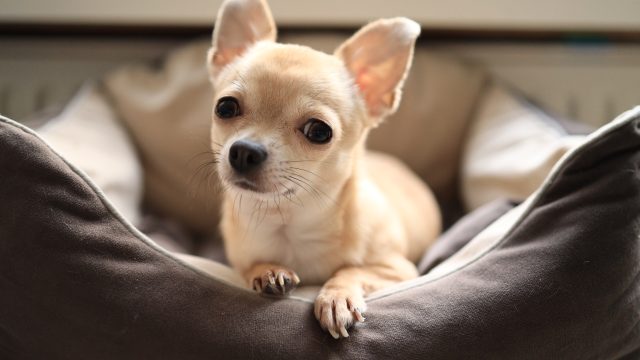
(510, 147)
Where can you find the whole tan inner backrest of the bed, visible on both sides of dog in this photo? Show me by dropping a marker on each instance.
(167, 109)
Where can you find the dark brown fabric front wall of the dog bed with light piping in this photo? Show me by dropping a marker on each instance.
(559, 278)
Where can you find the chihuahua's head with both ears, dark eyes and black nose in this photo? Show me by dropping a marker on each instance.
(289, 119)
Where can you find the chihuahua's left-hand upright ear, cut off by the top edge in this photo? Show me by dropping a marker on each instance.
(240, 24)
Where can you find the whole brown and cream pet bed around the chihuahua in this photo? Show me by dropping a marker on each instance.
(557, 276)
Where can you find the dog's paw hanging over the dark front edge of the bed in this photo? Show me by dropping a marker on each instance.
(338, 309)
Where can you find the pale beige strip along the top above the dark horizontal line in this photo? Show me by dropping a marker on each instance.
(617, 15)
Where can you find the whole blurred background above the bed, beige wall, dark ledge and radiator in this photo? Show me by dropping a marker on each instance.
(579, 58)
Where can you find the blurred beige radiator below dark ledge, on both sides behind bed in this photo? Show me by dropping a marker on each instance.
(591, 83)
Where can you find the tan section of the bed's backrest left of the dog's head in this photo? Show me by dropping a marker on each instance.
(167, 111)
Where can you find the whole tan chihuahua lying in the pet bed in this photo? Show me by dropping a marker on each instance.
(304, 199)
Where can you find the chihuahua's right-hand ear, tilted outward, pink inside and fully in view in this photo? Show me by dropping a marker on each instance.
(379, 57)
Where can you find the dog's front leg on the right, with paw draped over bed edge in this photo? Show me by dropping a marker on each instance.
(341, 301)
